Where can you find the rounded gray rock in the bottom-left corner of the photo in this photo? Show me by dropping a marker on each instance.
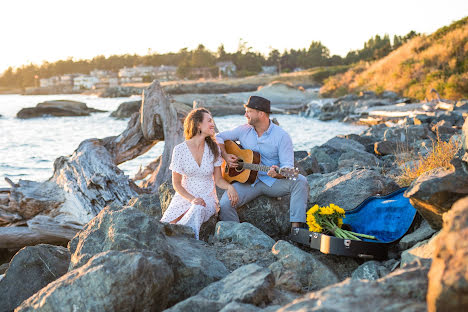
(31, 269)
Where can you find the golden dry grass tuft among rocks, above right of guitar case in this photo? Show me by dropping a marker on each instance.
(412, 166)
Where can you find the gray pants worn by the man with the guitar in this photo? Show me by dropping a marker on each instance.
(299, 190)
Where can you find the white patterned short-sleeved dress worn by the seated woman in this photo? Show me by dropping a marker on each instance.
(198, 181)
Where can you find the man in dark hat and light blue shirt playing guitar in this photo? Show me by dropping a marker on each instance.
(276, 150)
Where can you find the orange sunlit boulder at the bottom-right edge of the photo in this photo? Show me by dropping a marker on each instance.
(448, 277)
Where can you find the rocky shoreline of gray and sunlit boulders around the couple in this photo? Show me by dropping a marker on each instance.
(124, 259)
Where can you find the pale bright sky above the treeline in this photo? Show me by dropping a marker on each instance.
(34, 31)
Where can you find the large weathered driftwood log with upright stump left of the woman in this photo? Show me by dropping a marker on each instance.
(88, 180)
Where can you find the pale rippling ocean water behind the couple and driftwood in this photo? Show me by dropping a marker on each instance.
(29, 147)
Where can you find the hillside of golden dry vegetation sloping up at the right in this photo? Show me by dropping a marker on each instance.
(438, 61)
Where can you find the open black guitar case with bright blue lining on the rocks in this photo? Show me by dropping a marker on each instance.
(388, 218)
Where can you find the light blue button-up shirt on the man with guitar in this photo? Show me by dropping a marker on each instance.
(275, 146)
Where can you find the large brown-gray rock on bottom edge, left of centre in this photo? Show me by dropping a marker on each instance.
(110, 281)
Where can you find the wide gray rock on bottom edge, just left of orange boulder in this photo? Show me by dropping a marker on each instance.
(402, 290)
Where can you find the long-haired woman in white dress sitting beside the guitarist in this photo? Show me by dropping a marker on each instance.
(195, 169)
